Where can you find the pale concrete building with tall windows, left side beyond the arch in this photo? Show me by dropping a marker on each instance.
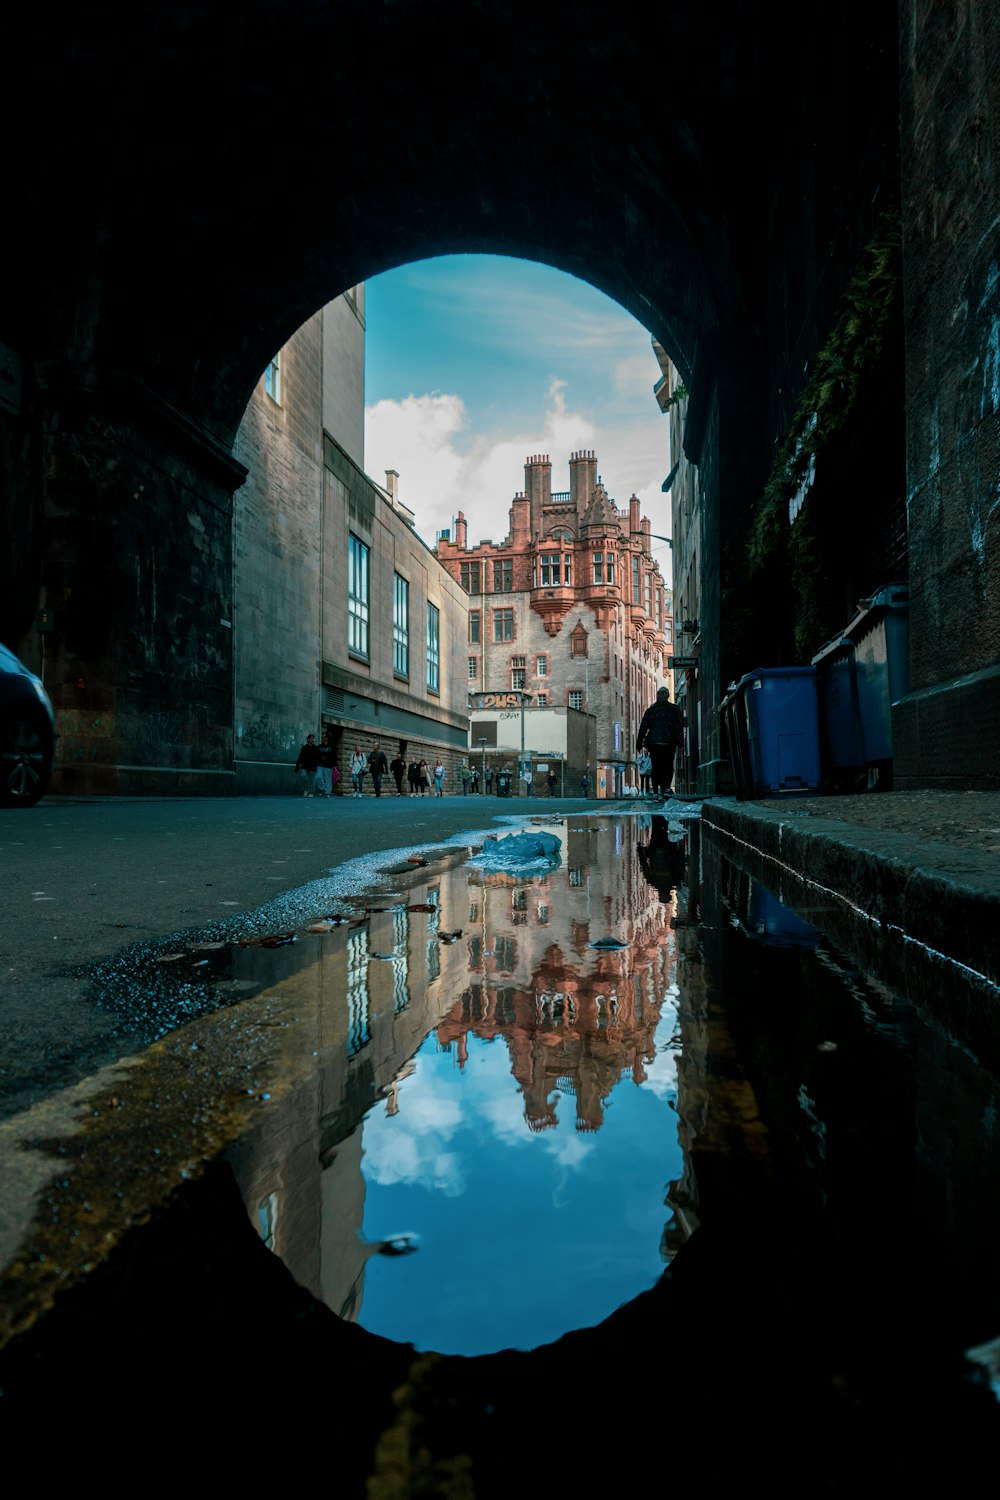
(343, 616)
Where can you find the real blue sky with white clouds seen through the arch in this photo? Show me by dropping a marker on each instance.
(473, 362)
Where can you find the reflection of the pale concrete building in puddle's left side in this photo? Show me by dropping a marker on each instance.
(373, 992)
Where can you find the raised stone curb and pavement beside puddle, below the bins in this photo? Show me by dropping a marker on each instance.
(947, 899)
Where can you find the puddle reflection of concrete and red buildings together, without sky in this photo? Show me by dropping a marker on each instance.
(575, 1019)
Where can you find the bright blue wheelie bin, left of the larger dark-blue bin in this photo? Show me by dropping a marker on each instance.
(782, 722)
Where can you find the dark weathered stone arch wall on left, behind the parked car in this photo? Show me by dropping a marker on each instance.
(136, 569)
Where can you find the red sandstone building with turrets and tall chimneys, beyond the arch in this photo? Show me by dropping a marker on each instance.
(570, 608)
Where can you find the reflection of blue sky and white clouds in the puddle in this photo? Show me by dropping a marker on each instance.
(522, 1237)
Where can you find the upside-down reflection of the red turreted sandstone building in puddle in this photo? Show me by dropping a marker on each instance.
(575, 1021)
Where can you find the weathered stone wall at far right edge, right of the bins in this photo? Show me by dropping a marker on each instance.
(947, 731)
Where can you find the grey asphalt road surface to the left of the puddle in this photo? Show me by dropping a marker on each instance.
(85, 880)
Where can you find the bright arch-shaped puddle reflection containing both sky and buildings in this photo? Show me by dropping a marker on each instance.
(506, 1097)
